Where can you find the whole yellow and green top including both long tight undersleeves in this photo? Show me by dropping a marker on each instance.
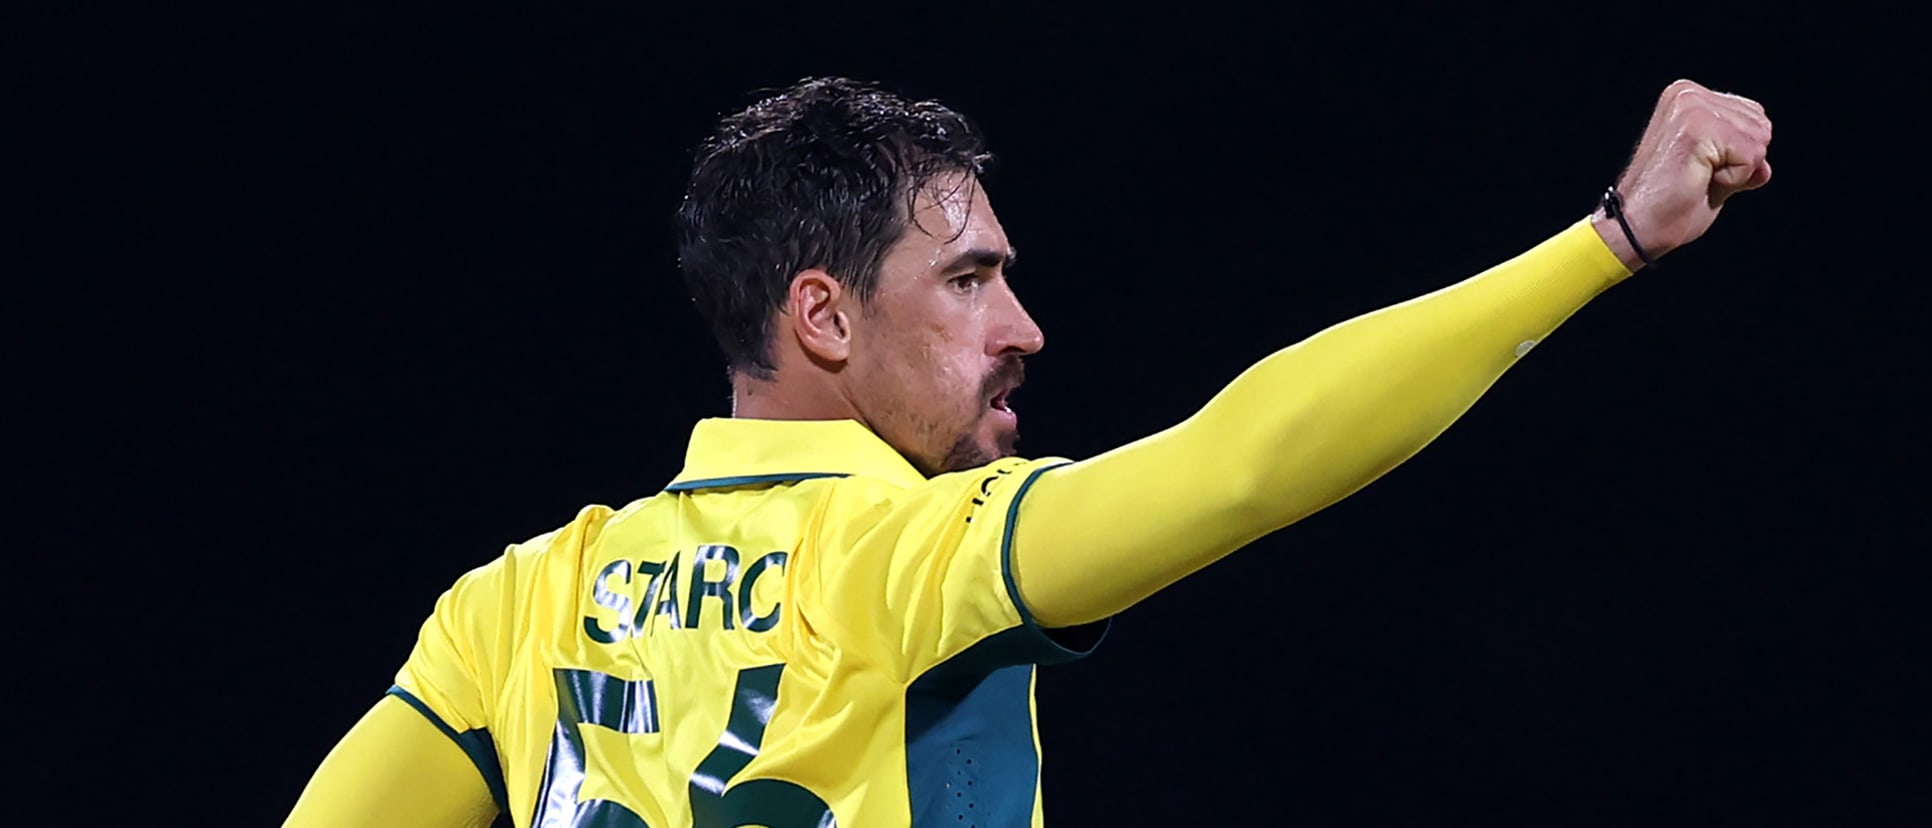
(803, 630)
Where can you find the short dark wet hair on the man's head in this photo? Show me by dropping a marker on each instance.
(816, 177)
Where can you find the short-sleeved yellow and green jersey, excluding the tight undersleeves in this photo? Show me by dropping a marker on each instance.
(801, 630)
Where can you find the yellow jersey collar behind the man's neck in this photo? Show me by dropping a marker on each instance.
(739, 453)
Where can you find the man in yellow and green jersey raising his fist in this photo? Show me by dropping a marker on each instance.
(834, 615)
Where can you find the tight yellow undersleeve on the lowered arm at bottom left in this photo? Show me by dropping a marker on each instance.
(395, 769)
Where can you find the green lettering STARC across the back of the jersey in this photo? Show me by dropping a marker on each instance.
(714, 592)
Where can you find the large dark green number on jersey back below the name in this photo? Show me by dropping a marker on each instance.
(631, 707)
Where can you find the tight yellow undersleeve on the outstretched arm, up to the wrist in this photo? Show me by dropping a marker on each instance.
(1295, 433)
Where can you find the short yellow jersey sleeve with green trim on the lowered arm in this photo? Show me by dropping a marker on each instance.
(453, 671)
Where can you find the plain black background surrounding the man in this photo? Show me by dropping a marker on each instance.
(318, 308)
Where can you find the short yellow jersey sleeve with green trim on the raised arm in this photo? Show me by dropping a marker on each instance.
(923, 578)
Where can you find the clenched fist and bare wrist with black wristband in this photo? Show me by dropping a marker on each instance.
(1699, 150)
